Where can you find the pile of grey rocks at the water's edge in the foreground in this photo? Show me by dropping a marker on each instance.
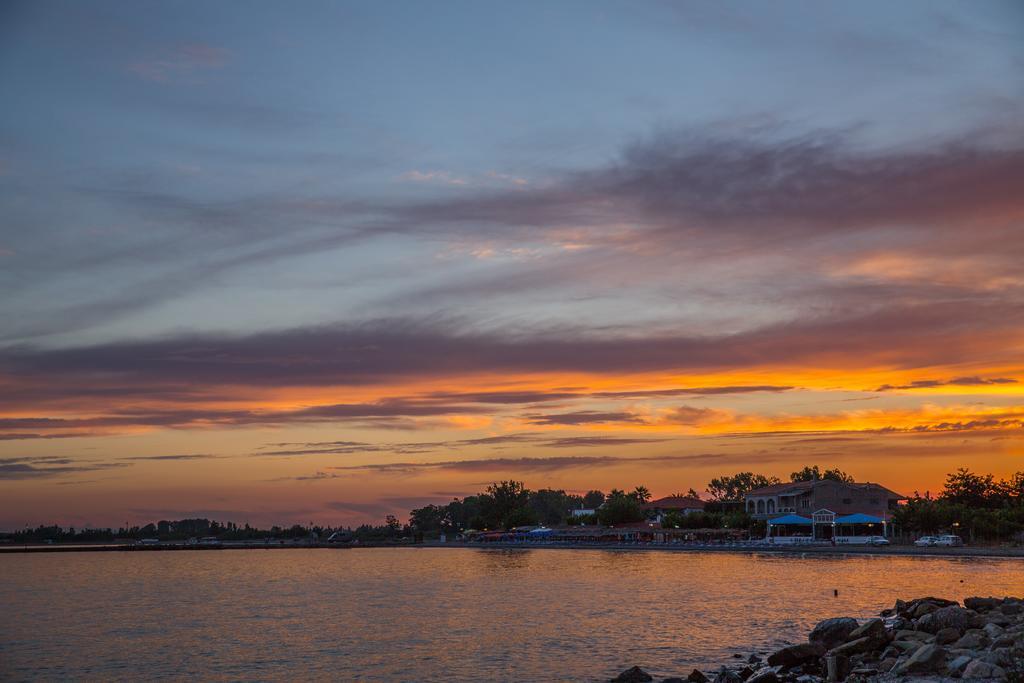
(925, 639)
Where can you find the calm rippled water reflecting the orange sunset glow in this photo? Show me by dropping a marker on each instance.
(421, 615)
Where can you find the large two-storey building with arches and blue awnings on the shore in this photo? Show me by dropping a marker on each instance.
(825, 509)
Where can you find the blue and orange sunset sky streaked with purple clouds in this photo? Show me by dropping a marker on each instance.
(282, 264)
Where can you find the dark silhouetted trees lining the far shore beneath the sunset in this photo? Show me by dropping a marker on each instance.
(977, 506)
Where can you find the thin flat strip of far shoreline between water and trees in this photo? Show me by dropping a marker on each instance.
(902, 551)
